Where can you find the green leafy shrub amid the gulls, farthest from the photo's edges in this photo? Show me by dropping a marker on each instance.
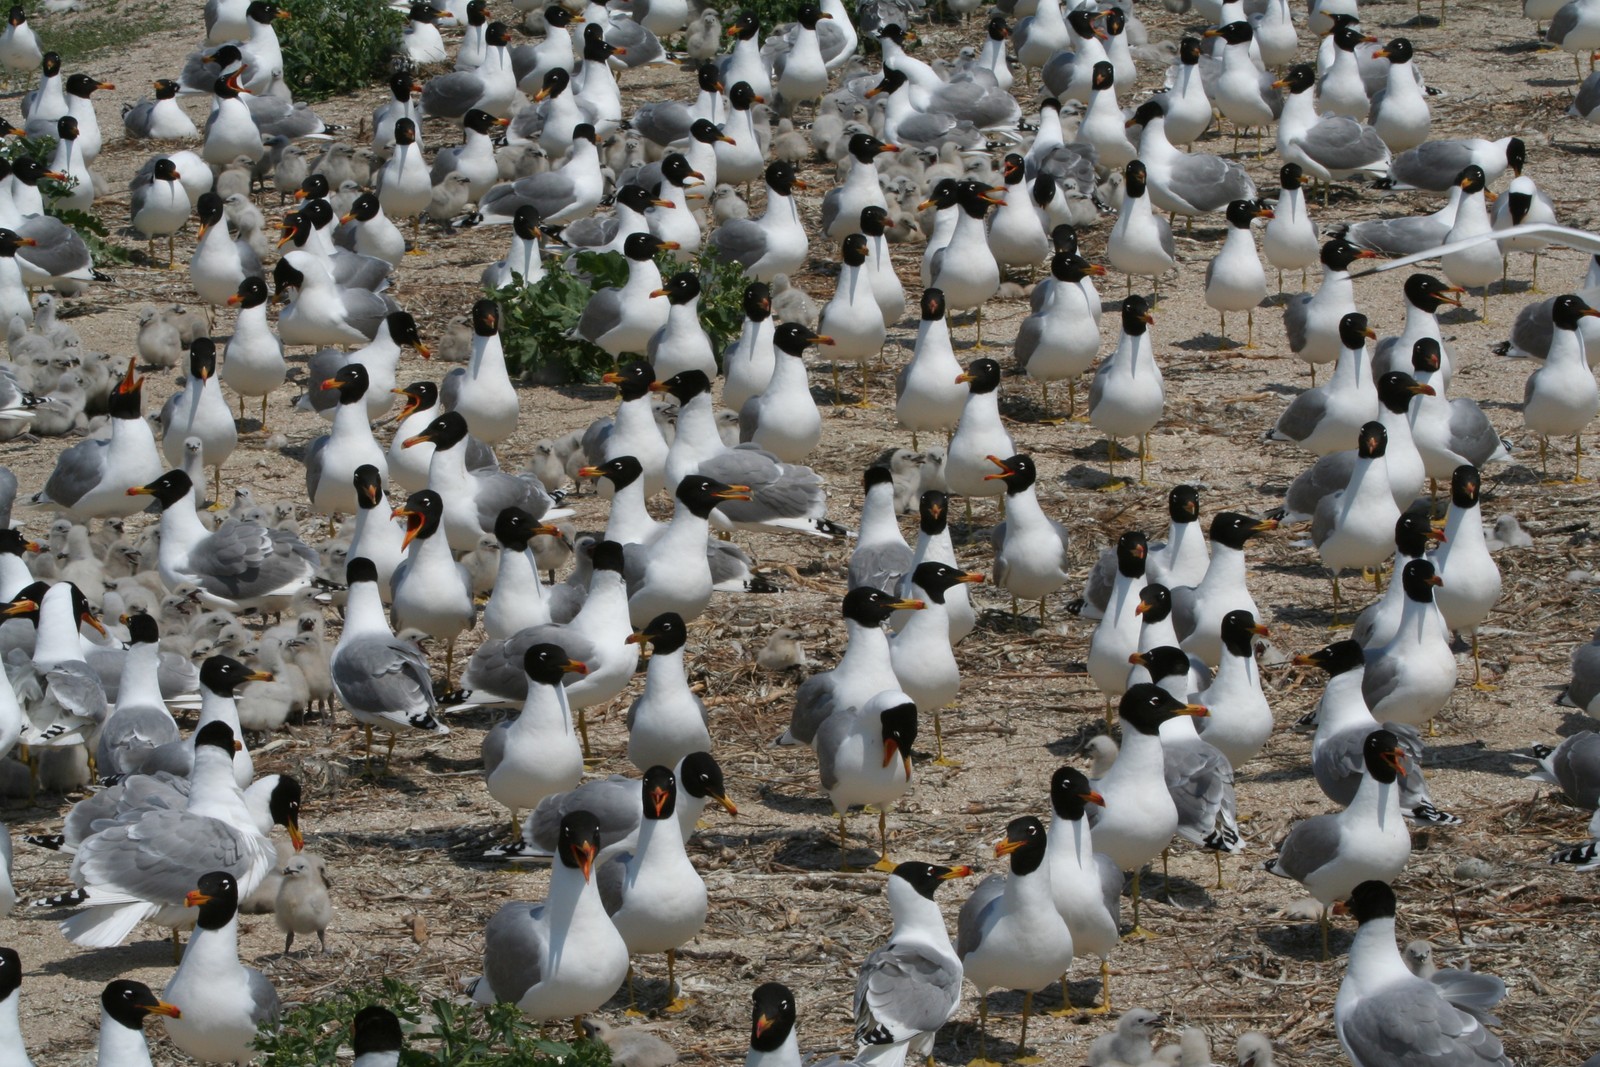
(537, 319)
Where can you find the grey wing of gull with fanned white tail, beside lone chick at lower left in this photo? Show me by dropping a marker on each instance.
(156, 857)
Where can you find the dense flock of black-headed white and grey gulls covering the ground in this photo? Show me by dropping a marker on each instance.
(994, 159)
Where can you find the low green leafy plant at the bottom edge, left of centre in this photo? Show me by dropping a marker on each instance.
(498, 1036)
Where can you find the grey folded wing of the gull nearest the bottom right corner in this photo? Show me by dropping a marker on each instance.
(1412, 1026)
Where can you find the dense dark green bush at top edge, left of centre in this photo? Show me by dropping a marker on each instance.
(337, 46)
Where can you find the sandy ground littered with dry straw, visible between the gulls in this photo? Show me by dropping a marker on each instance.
(410, 887)
